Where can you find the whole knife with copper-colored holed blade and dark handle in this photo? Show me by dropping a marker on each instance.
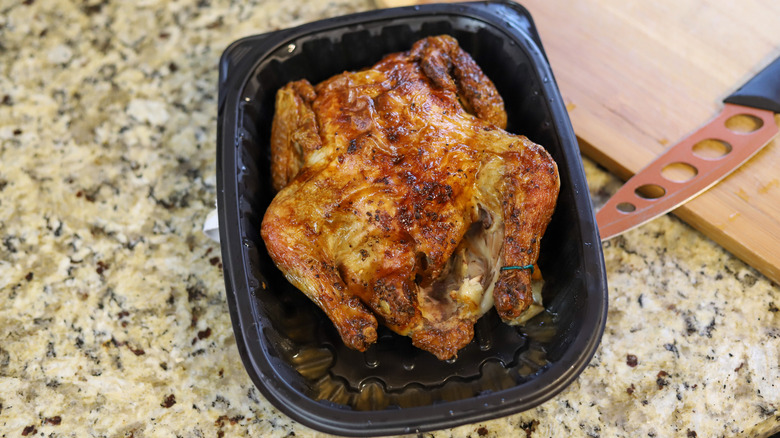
(699, 161)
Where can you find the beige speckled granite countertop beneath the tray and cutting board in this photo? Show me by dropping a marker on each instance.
(113, 316)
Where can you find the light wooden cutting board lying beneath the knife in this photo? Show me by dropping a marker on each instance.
(639, 76)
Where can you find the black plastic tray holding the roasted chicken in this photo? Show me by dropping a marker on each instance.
(291, 350)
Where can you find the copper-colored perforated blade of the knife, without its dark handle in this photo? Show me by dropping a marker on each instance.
(649, 193)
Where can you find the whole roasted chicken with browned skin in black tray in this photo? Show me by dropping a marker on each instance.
(402, 200)
